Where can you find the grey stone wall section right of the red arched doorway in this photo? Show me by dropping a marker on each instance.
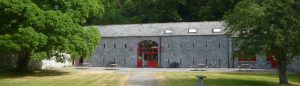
(192, 50)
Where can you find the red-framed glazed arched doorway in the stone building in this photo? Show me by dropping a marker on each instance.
(147, 54)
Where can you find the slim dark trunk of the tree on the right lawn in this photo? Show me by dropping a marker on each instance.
(282, 71)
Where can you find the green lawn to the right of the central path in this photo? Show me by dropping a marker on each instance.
(223, 79)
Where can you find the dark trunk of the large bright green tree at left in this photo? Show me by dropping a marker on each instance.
(23, 61)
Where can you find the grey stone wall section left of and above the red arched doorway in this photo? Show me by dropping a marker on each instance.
(115, 51)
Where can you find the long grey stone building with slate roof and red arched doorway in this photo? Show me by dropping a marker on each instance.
(162, 44)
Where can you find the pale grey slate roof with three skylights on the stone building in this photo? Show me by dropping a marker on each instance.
(158, 29)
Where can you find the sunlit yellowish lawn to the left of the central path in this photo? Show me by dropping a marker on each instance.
(69, 77)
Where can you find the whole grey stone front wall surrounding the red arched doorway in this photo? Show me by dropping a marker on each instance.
(186, 50)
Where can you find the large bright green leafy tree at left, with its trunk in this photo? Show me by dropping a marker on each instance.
(39, 29)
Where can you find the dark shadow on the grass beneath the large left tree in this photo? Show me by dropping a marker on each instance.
(35, 73)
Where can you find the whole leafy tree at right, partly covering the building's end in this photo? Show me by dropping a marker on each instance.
(267, 26)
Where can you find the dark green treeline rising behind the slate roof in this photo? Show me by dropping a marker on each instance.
(149, 11)
